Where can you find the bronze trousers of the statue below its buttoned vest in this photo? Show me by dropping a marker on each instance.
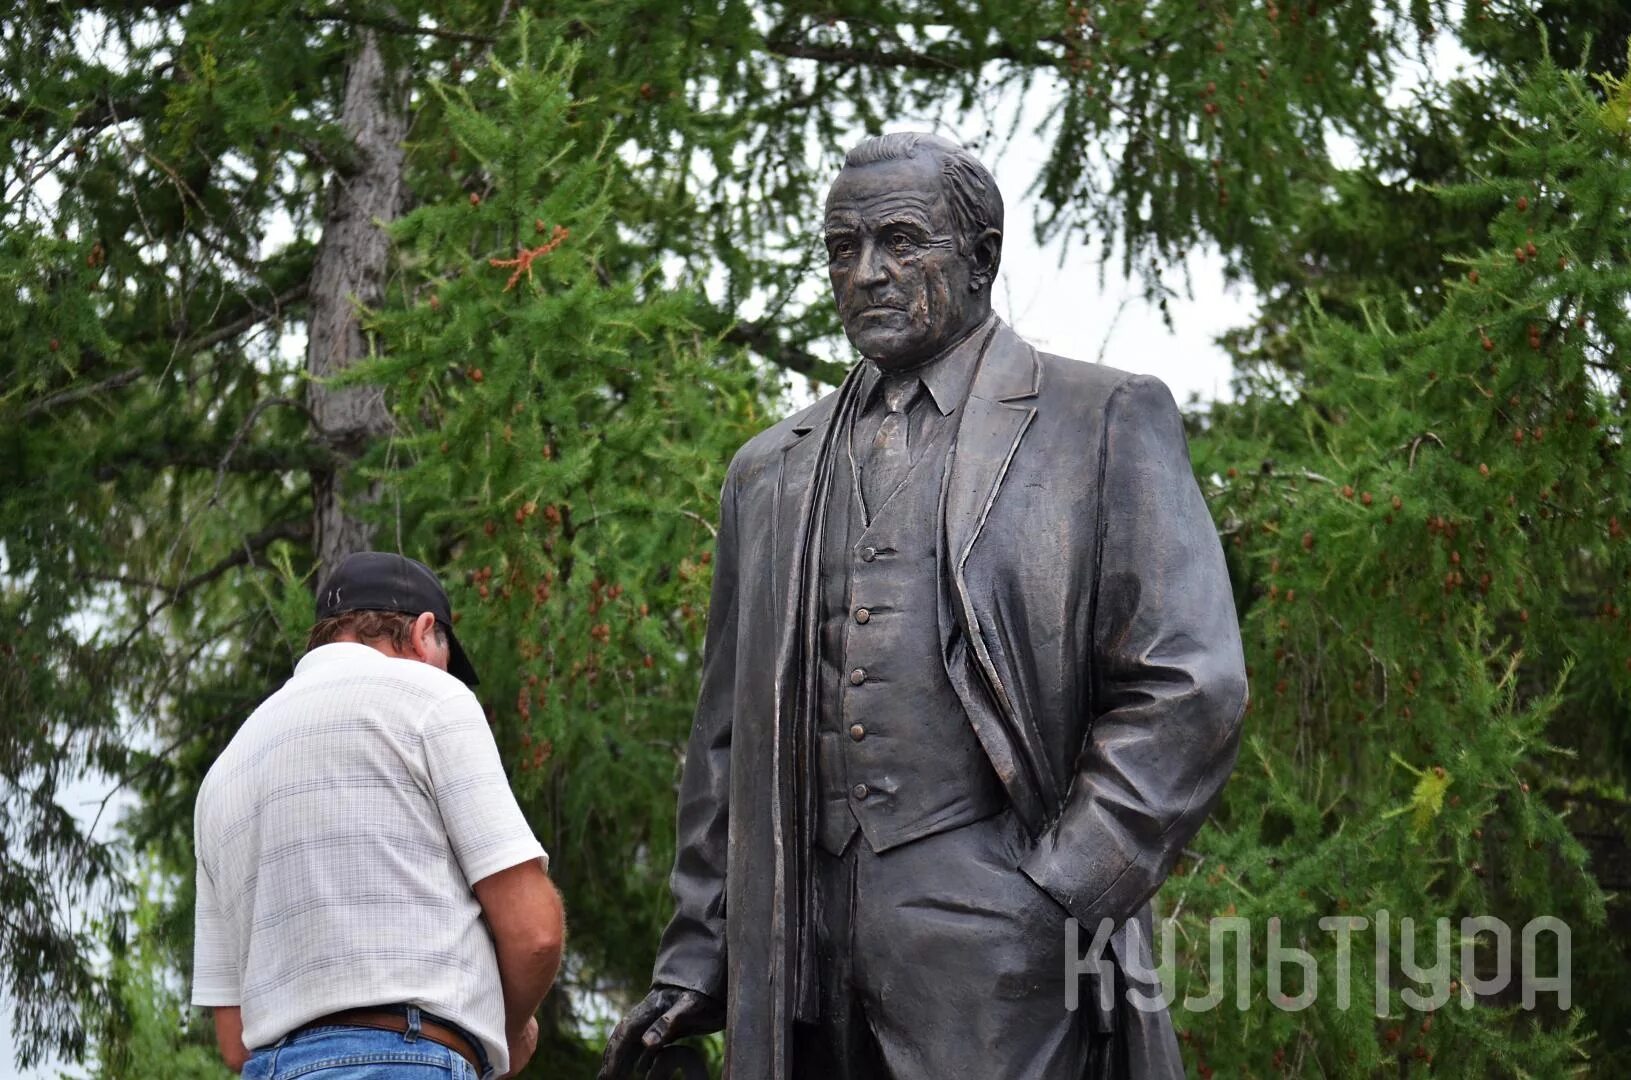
(942, 962)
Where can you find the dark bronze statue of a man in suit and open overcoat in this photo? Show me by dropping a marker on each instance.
(973, 670)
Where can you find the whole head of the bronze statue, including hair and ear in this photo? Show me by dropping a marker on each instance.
(914, 237)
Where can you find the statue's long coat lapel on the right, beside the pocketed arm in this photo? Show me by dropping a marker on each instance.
(996, 418)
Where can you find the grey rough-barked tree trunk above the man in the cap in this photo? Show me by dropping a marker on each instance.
(350, 275)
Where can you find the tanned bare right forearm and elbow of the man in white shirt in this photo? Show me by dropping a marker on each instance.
(529, 932)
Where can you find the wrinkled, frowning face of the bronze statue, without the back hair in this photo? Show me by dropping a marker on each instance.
(903, 288)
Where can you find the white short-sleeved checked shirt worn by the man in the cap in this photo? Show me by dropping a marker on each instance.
(338, 839)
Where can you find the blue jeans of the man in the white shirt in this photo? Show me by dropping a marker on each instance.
(358, 1055)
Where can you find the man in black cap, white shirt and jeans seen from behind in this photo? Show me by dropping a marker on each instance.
(371, 901)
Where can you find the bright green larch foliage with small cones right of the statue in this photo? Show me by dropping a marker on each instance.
(1425, 526)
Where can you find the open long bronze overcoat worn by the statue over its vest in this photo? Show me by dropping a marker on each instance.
(1089, 629)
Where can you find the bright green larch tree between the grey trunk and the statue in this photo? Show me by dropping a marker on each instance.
(562, 443)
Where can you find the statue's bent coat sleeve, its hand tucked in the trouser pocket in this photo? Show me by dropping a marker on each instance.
(1167, 673)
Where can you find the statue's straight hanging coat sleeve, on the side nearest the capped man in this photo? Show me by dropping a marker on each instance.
(692, 954)
